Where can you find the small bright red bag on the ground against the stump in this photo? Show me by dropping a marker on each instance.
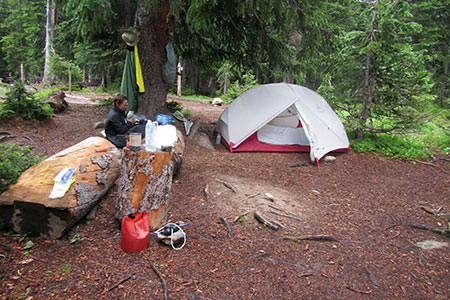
(135, 232)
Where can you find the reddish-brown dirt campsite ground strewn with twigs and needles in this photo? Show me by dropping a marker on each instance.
(363, 205)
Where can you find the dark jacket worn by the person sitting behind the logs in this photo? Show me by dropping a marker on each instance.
(117, 127)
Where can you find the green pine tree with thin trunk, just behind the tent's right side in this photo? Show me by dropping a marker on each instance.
(380, 74)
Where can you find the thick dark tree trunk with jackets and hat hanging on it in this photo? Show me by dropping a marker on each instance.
(153, 29)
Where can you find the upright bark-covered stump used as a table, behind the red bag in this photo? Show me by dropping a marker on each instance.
(145, 183)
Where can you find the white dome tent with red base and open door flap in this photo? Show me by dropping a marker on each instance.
(282, 117)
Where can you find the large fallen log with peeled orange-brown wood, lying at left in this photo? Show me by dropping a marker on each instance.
(26, 206)
